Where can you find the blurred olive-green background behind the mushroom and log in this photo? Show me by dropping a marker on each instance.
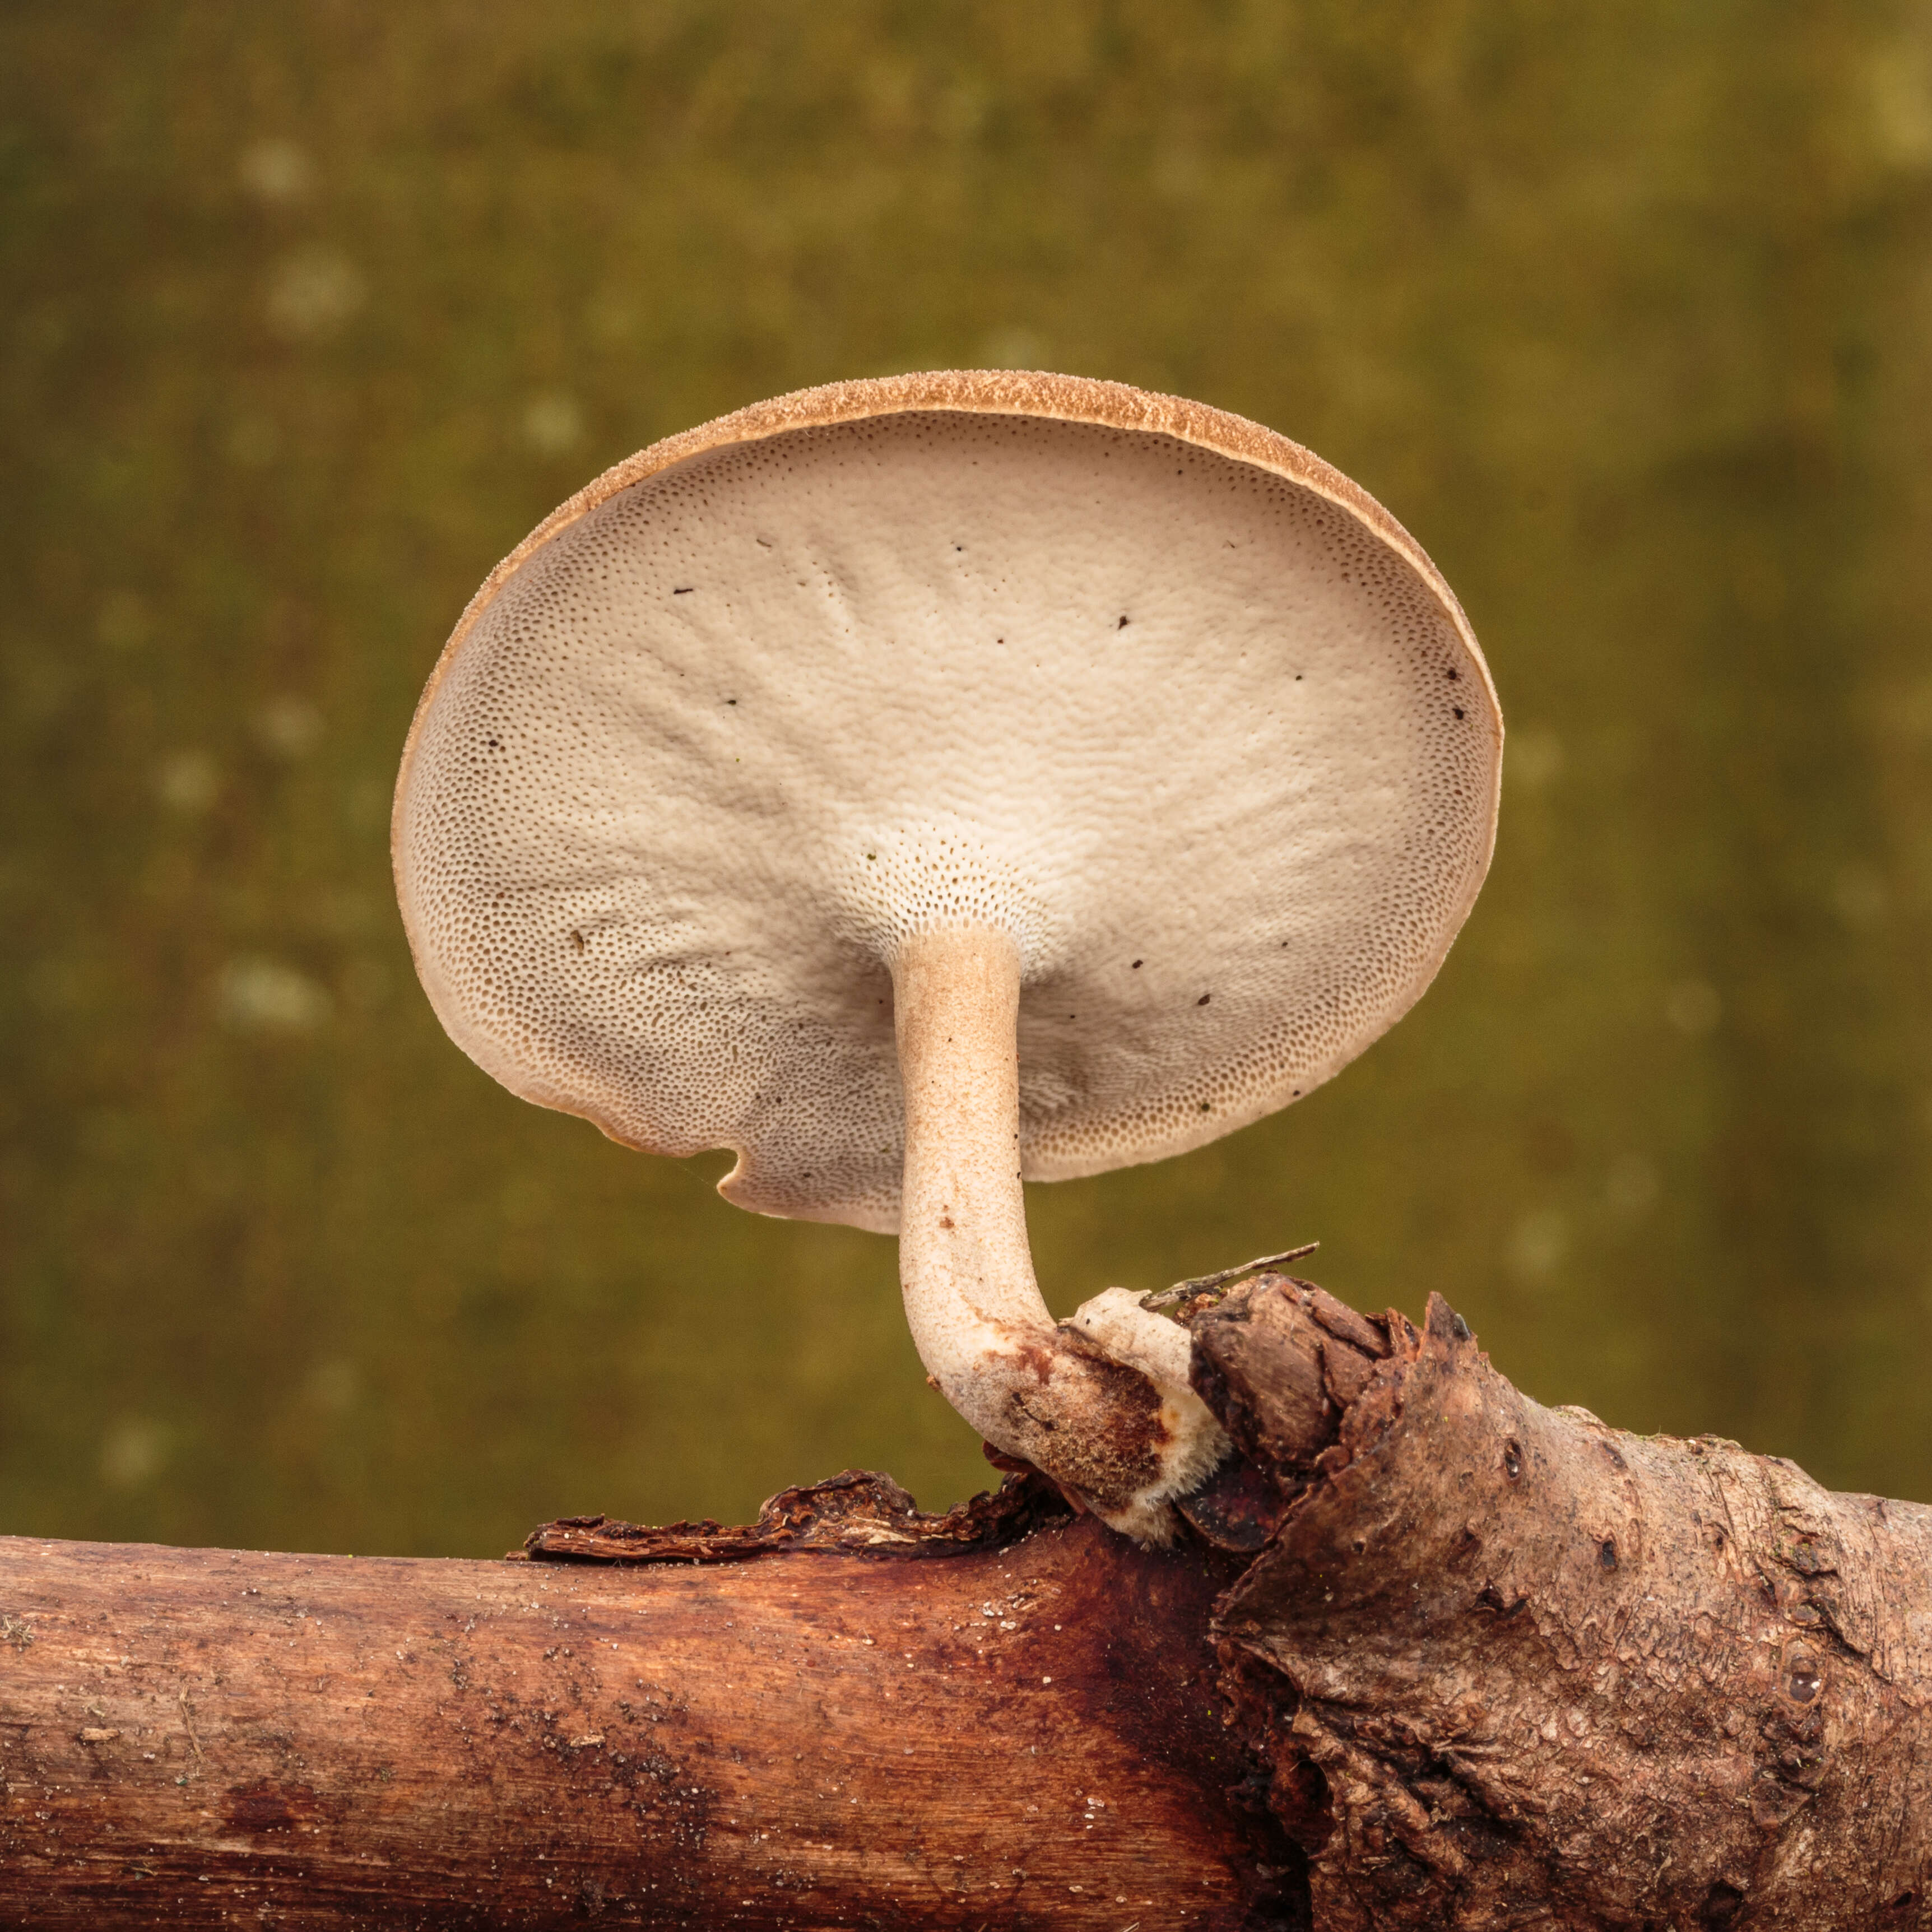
(312, 310)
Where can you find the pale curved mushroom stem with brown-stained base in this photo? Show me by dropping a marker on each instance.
(1100, 1404)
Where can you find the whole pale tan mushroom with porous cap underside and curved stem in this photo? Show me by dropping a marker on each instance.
(932, 783)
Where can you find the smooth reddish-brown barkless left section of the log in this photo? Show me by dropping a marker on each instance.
(1019, 1736)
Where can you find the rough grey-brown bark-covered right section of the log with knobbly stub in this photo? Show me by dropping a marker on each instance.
(1514, 1666)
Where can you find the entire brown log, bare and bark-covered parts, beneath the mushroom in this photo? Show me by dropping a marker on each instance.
(1435, 1657)
